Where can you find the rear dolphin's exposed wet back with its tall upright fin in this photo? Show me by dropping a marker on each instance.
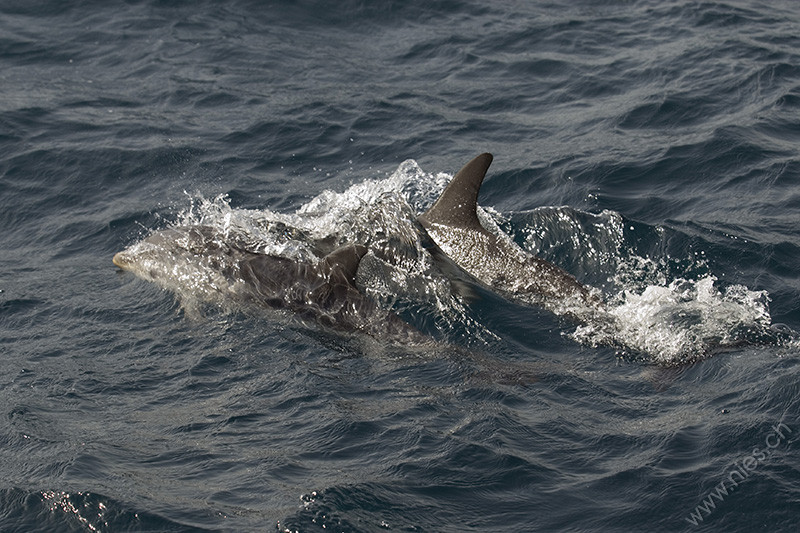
(495, 260)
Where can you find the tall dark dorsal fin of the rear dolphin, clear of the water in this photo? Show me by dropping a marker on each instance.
(458, 204)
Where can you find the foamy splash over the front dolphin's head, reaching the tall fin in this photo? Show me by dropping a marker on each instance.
(398, 273)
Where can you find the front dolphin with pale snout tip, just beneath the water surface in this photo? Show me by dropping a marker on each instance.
(323, 291)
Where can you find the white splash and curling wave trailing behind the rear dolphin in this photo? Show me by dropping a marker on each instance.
(666, 307)
